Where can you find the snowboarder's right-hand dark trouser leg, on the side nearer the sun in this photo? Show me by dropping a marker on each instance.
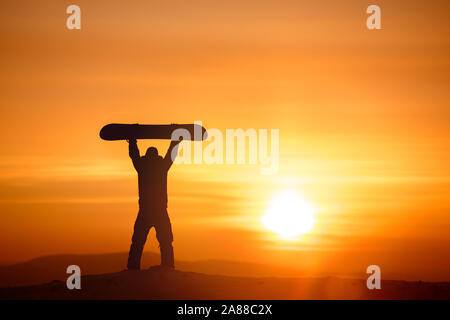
(165, 238)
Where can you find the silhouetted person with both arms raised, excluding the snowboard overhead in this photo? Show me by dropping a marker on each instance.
(152, 177)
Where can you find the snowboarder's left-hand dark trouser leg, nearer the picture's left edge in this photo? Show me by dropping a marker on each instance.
(141, 229)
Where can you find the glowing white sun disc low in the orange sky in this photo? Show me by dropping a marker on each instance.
(289, 215)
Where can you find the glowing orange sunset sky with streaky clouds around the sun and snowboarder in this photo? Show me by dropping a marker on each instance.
(363, 119)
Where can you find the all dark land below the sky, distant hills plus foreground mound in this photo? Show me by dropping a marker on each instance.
(101, 280)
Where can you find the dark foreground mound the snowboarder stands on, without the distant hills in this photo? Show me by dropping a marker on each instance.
(164, 283)
